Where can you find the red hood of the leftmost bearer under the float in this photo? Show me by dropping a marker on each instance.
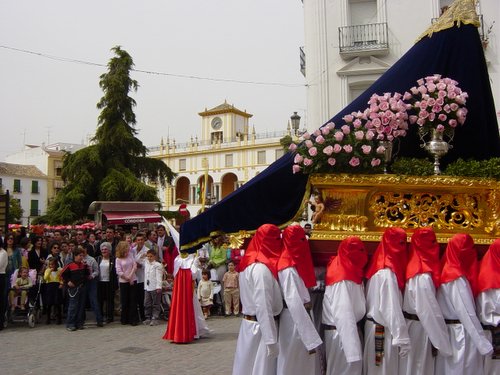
(265, 247)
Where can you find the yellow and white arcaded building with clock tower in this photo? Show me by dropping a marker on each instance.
(228, 154)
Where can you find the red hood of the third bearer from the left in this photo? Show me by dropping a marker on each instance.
(349, 263)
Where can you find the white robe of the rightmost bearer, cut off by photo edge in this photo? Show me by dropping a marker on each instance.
(488, 311)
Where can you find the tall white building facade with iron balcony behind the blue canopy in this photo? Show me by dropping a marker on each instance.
(349, 44)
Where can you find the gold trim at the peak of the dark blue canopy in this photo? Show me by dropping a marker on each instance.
(460, 12)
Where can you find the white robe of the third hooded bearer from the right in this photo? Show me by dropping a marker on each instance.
(430, 330)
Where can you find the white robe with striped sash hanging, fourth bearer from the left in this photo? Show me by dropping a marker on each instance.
(384, 305)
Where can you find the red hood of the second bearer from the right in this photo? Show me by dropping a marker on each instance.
(460, 259)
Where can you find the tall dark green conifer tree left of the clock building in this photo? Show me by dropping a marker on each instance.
(115, 167)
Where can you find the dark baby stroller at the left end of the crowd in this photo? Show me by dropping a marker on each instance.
(32, 312)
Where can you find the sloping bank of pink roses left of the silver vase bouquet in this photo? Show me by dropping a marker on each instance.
(355, 146)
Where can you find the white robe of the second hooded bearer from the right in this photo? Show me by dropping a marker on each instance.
(467, 339)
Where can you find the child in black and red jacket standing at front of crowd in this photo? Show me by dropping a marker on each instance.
(75, 275)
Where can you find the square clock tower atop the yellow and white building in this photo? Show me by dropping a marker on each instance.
(224, 123)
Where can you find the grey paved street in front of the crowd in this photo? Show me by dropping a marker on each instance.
(115, 349)
